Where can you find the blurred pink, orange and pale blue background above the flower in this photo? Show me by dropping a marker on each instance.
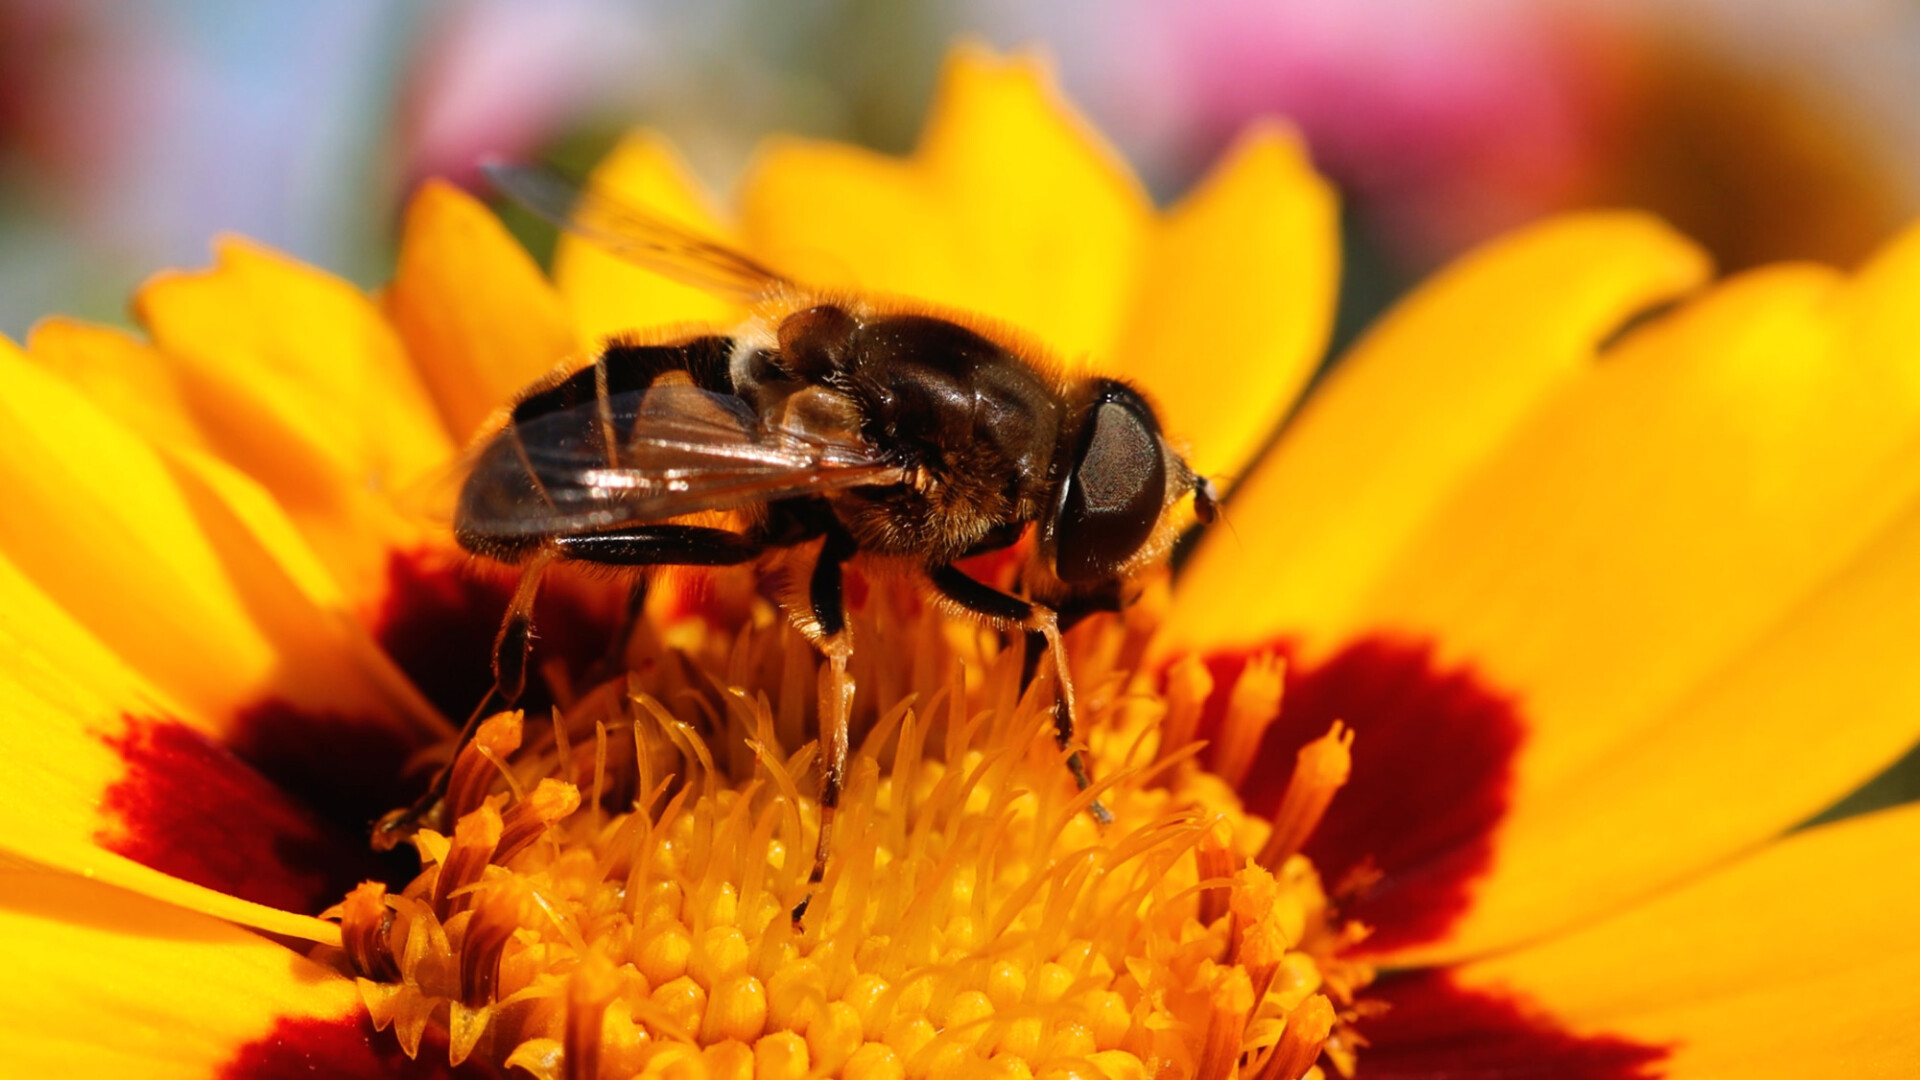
(132, 132)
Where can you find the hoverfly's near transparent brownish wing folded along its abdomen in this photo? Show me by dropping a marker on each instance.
(648, 456)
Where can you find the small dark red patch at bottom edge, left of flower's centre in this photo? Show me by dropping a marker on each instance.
(347, 1050)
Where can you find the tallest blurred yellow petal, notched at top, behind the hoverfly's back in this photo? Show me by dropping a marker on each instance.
(1011, 209)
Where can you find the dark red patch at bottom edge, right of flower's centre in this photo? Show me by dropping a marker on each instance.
(1437, 1031)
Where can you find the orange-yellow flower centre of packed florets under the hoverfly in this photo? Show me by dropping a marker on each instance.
(615, 887)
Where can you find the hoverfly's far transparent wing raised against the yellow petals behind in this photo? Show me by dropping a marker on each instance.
(633, 233)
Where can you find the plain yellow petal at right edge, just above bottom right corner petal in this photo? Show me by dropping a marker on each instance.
(1806, 714)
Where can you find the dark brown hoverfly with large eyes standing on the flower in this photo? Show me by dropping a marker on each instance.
(846, 424)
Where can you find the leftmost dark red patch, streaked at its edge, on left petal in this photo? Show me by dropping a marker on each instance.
(191, 808)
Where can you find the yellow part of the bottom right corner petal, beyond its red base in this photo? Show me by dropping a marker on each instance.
(1794, 962)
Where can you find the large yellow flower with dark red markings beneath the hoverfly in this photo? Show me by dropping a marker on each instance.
(1604, 604)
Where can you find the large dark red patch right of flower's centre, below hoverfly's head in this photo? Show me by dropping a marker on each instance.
(1433, 764)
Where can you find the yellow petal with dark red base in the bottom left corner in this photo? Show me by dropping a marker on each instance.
(103, 983)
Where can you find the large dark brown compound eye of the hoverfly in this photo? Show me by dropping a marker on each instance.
(1115, 495)
